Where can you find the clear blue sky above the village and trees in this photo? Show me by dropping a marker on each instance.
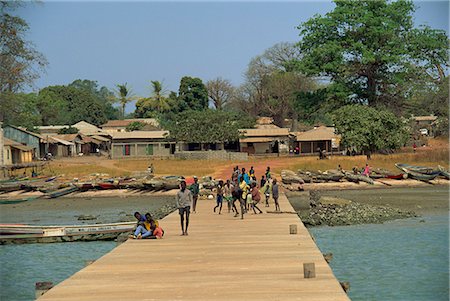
(136, 42)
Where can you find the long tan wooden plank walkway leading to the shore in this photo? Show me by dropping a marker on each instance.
(223, 258)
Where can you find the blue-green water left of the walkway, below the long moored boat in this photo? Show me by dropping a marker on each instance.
(24, 265)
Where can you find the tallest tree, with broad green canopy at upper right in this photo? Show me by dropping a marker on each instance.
(370, 50)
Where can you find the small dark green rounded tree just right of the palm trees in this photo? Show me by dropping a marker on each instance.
(192, 94)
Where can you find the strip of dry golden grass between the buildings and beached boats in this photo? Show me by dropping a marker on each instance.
(437, 153)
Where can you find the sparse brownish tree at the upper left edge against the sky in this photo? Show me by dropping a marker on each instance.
(20, 62)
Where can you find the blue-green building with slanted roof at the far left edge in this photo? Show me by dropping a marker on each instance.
(24, 137)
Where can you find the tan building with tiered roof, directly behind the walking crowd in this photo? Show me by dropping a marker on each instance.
(264, 139)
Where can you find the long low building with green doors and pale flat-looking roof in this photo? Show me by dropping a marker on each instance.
(141, 144)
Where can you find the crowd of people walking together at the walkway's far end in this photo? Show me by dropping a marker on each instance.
(244, 189)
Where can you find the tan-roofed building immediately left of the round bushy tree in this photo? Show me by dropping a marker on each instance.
(311, 141)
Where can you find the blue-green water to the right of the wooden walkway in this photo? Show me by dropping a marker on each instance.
(400, 260)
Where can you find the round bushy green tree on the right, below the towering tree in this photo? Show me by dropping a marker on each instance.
(369, 129)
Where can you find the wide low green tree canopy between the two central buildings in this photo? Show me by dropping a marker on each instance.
(207, 126)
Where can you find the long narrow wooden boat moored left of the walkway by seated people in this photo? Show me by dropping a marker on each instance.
(19, 234)
